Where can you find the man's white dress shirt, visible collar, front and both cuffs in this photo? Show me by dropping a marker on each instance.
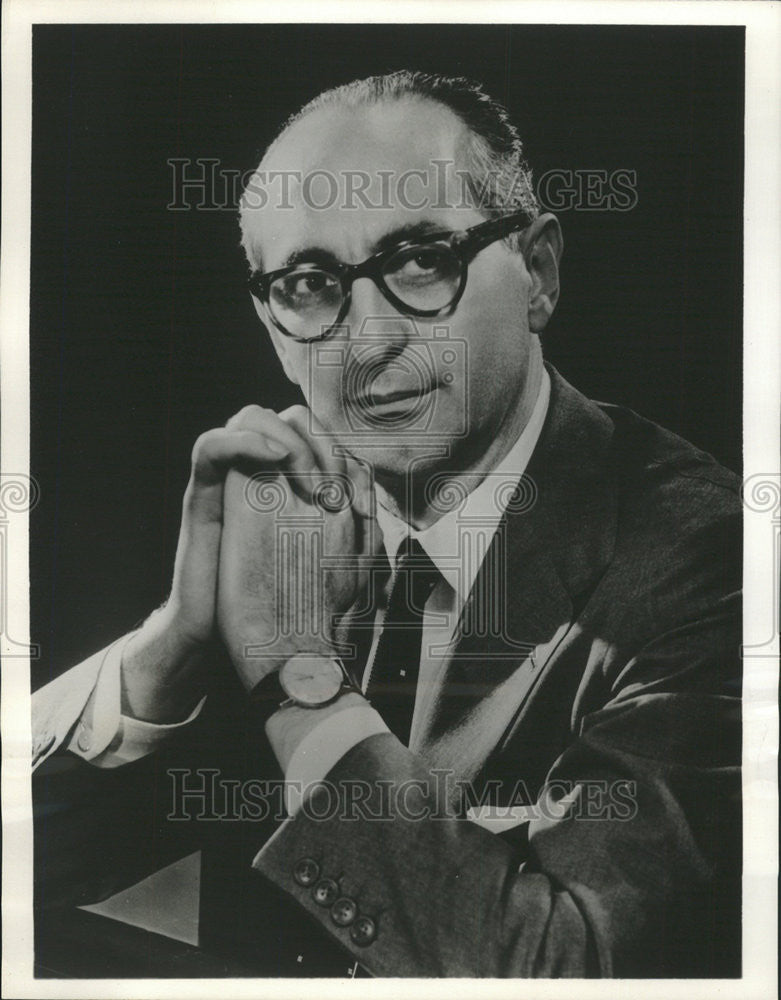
(456, 543)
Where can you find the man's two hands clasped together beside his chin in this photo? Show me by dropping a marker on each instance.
(276, 525)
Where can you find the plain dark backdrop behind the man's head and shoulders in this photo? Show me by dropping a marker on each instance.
(142, 331)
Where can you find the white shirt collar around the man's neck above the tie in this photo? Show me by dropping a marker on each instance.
(457, 553)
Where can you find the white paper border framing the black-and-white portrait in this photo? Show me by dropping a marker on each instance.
(762, 473)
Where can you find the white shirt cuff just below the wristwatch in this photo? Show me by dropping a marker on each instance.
(323, 747)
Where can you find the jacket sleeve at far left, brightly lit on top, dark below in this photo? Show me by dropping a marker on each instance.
(96, 830)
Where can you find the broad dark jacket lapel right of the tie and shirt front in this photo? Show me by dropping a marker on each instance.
(544, 557)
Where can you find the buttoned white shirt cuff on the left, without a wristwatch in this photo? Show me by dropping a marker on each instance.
(105, 737)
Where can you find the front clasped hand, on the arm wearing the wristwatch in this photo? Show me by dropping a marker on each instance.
(294, 530)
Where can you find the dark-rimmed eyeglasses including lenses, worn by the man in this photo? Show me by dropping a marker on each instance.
(423, 277)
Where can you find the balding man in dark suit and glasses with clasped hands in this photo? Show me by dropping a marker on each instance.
(485, 629)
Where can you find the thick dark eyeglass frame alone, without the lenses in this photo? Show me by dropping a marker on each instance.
(465, 244)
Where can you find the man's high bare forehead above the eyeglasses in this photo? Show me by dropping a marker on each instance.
(342, 178)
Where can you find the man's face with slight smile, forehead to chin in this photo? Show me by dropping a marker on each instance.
(396, 389)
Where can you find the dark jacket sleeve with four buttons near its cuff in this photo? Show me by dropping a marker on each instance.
(642, 881)
